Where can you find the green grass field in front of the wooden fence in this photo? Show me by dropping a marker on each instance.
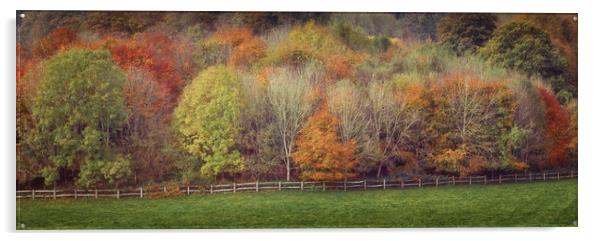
(540, 204)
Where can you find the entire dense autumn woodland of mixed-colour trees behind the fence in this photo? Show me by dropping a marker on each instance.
(136, 98)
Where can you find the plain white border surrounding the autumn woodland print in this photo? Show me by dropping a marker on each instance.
(589, 118)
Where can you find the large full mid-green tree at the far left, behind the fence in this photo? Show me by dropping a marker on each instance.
(79, 112)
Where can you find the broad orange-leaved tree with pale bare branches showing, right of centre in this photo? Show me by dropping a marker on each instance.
(470, 116)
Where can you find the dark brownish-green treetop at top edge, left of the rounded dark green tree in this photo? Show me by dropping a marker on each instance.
(465, 32)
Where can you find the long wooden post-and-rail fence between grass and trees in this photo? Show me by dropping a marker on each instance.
(401, 183)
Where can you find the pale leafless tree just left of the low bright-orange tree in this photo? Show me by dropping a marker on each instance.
(290, 96)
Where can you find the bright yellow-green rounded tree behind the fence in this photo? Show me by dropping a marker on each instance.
(207, 119)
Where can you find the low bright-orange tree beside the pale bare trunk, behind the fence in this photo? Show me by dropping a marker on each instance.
(320, 154)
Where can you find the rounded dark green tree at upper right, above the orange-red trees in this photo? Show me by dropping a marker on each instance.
(528, 49)
